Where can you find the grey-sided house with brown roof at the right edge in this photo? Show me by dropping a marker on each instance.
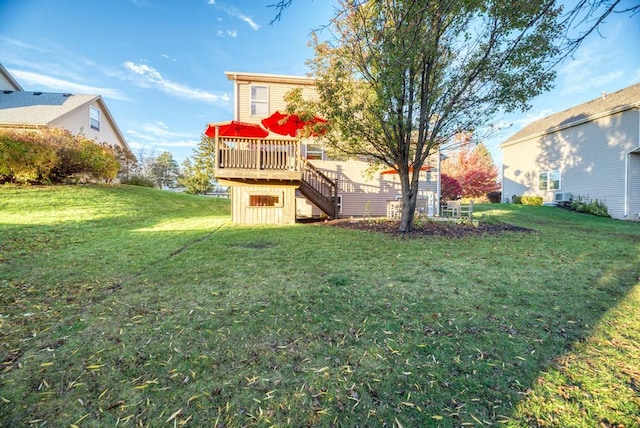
(591, 150)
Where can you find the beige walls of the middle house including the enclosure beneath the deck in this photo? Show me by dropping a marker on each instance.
(360, 192)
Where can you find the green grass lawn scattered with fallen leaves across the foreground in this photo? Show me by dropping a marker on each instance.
(125, 306)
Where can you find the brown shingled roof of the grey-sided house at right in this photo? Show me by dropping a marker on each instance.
(605, 105)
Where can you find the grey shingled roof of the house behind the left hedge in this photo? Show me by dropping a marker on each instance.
(33, 109)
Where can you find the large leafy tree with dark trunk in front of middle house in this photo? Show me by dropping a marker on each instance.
(401, 78)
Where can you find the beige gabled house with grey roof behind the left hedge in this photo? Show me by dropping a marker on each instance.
(86, 114)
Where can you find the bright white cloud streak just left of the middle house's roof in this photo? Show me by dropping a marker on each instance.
(149, 77)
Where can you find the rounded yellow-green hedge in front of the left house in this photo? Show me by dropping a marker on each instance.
(53, 156)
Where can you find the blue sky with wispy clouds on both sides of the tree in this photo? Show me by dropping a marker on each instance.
(159, 64)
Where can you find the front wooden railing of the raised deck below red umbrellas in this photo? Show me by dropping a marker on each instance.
(250, 153)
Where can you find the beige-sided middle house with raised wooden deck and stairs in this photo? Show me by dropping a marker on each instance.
(308, 183)
